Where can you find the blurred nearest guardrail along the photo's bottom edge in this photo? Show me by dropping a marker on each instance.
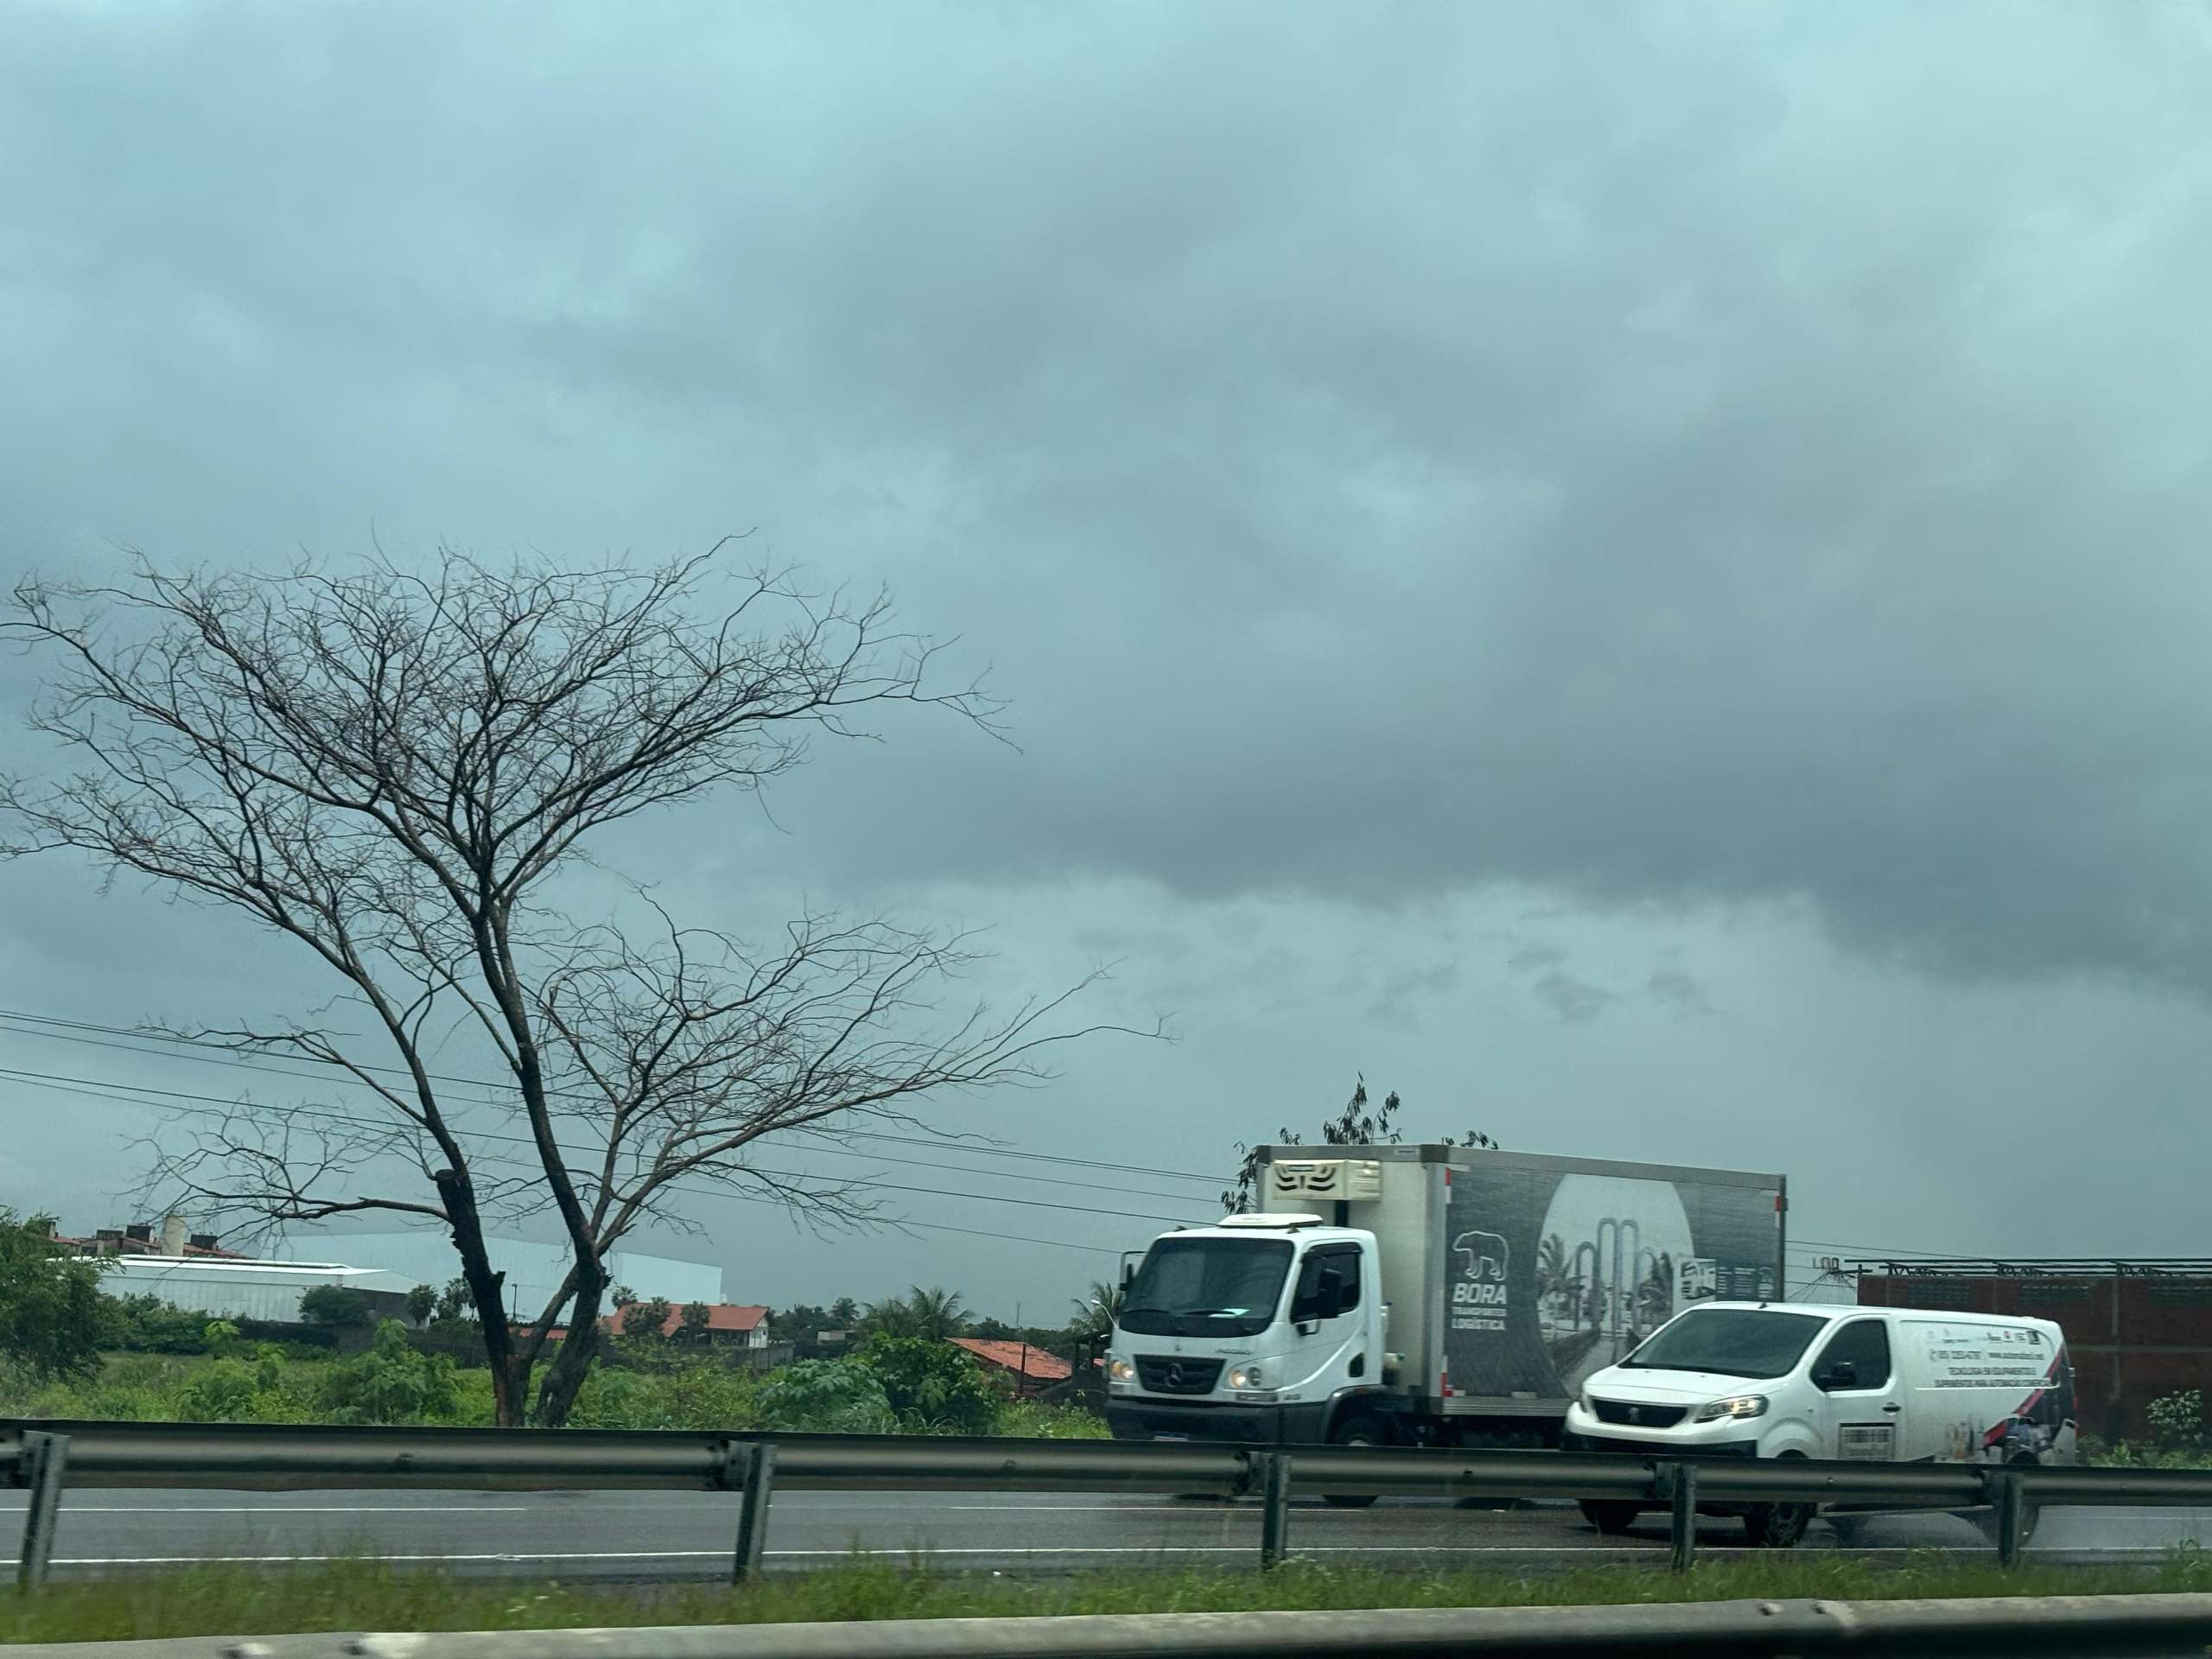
(2025, 1629)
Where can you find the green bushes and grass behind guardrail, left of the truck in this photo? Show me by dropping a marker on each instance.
(72, 1350)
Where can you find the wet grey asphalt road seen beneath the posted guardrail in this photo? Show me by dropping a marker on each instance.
(669, 1536)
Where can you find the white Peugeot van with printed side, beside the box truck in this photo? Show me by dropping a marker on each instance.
(1859, 1384)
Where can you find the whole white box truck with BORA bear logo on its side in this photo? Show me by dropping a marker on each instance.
(1426, 1295)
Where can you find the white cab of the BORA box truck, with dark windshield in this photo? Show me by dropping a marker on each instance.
(1266, 1328)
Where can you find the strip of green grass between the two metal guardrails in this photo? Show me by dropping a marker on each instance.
(375, 1596)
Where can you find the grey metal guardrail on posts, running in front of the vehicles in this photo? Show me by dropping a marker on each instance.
(48, 1457)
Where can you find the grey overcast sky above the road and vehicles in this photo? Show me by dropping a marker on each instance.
(1638, 576)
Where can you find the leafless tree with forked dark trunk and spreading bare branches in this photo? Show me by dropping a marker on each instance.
(395, 771)
